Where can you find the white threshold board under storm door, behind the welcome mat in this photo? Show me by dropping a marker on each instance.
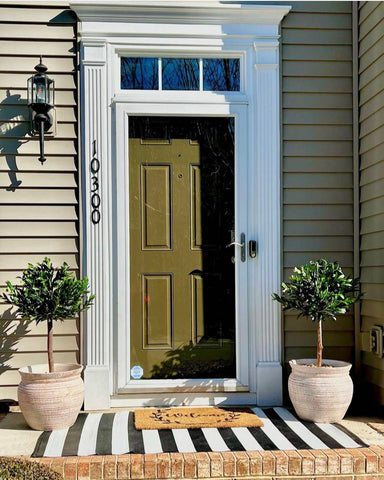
(182, 399)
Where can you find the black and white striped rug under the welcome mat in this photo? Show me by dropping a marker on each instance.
(115, 433)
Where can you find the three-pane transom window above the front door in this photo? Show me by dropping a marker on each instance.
(209, 74)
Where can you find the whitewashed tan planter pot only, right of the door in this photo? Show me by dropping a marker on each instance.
(322, 394)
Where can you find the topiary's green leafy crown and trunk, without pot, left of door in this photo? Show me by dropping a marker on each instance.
(48, 294)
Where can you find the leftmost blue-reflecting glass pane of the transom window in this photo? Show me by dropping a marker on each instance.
(139, 73)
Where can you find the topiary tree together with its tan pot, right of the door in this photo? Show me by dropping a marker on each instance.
(320, 390)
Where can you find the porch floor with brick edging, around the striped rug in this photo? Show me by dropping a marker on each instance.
(17, 439)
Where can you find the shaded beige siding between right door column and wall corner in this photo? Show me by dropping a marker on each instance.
(317, 160)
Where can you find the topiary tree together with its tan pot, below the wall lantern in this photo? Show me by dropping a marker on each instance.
(50, 395)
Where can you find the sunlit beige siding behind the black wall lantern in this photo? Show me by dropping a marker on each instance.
(40, 217)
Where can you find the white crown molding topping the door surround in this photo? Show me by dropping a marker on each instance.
(174, 11)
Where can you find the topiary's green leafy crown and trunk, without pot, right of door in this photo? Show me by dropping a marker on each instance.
(318, 290)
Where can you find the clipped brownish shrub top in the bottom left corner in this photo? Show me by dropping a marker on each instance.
(18, 469)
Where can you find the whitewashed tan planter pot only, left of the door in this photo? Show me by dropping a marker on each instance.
(51, 401)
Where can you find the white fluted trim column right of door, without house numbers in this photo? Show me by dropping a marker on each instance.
(268, 220)
